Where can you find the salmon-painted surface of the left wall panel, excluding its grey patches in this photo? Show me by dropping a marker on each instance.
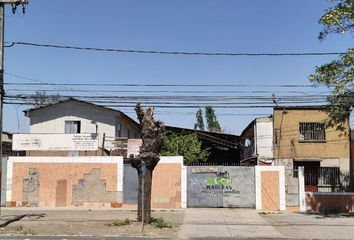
(52, 174)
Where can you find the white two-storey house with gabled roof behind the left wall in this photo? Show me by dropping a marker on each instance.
(112, 128)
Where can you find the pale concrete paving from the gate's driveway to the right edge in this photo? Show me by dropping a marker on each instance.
(248, 223)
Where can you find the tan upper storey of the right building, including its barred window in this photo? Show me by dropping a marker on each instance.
(302, 138)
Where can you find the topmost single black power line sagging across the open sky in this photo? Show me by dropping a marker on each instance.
(236, 54)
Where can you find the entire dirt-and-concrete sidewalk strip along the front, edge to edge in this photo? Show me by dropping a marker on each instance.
(197, 223)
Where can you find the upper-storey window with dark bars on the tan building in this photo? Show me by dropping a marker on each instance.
(312, 131)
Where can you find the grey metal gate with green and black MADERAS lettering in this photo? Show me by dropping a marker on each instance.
(221, 186)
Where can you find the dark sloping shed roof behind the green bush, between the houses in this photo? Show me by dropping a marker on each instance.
(220, 139)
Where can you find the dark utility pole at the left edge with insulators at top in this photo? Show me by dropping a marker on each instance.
(14, 4)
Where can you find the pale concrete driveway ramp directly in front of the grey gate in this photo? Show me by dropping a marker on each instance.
(225, 223)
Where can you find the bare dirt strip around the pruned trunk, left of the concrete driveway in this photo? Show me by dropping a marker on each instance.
(88, 222)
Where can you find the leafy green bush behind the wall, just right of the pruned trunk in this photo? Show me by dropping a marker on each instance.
(187, 146)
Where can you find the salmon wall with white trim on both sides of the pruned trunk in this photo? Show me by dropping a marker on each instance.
(60, 183)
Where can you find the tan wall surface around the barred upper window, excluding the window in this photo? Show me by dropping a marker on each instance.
(289, 146)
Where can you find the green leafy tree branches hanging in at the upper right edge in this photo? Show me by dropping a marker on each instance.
(338, 75)
